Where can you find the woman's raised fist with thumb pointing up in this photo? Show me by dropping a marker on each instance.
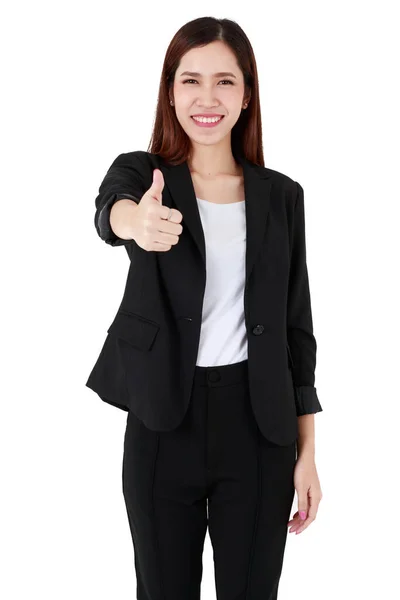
(150, 228)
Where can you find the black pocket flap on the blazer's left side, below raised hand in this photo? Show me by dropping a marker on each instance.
(138, 331)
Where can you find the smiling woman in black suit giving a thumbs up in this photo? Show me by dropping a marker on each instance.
(212, 351)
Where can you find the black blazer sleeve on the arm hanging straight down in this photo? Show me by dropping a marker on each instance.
(301, 340)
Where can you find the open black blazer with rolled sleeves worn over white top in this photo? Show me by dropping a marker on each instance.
(148, 359)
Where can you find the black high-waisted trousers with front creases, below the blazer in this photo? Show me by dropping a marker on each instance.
(215, 469)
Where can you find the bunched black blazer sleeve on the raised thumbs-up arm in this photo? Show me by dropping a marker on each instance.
(124, 179)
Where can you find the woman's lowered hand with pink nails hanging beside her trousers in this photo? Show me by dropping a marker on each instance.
(309, 493)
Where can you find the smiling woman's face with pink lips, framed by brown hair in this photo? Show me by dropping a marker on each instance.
(208, 91)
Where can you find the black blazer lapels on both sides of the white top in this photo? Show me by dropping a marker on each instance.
(257, 188)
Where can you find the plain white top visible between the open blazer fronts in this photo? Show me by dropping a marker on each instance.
(223, 336)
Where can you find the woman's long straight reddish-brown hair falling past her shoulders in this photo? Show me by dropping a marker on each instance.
(168, 138)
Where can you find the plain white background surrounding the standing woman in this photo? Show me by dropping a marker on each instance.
(80, 82)
